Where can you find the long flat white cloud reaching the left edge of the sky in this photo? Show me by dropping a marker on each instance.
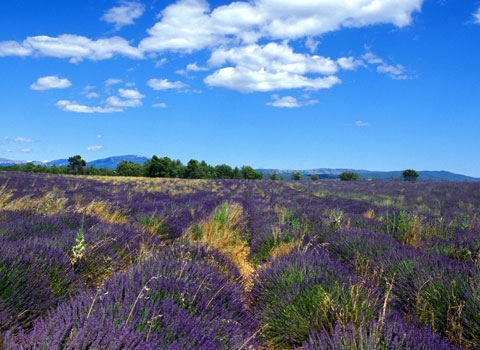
(74, 47)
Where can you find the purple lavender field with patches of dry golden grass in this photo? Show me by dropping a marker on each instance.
(133, 263)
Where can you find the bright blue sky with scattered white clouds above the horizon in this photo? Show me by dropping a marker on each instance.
(361, 84)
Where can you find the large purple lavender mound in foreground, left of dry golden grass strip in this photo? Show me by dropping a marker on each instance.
(178, 300)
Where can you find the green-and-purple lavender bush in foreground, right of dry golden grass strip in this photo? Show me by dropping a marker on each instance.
(308, 289)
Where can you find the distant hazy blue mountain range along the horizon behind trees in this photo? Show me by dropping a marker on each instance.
(322, 173)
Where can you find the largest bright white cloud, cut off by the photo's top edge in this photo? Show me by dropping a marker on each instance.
(190, 25)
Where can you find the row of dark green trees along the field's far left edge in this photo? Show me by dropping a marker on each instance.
(153, 167)
